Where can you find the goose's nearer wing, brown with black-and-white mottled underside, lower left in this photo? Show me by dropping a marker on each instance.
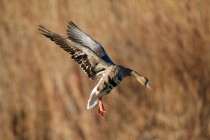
(91, 64)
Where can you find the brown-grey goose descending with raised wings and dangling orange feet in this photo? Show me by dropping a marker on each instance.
(94, 61)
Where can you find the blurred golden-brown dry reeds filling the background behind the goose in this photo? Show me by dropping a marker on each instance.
(43, 94)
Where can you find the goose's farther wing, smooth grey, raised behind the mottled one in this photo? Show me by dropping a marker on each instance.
(77, 35)
